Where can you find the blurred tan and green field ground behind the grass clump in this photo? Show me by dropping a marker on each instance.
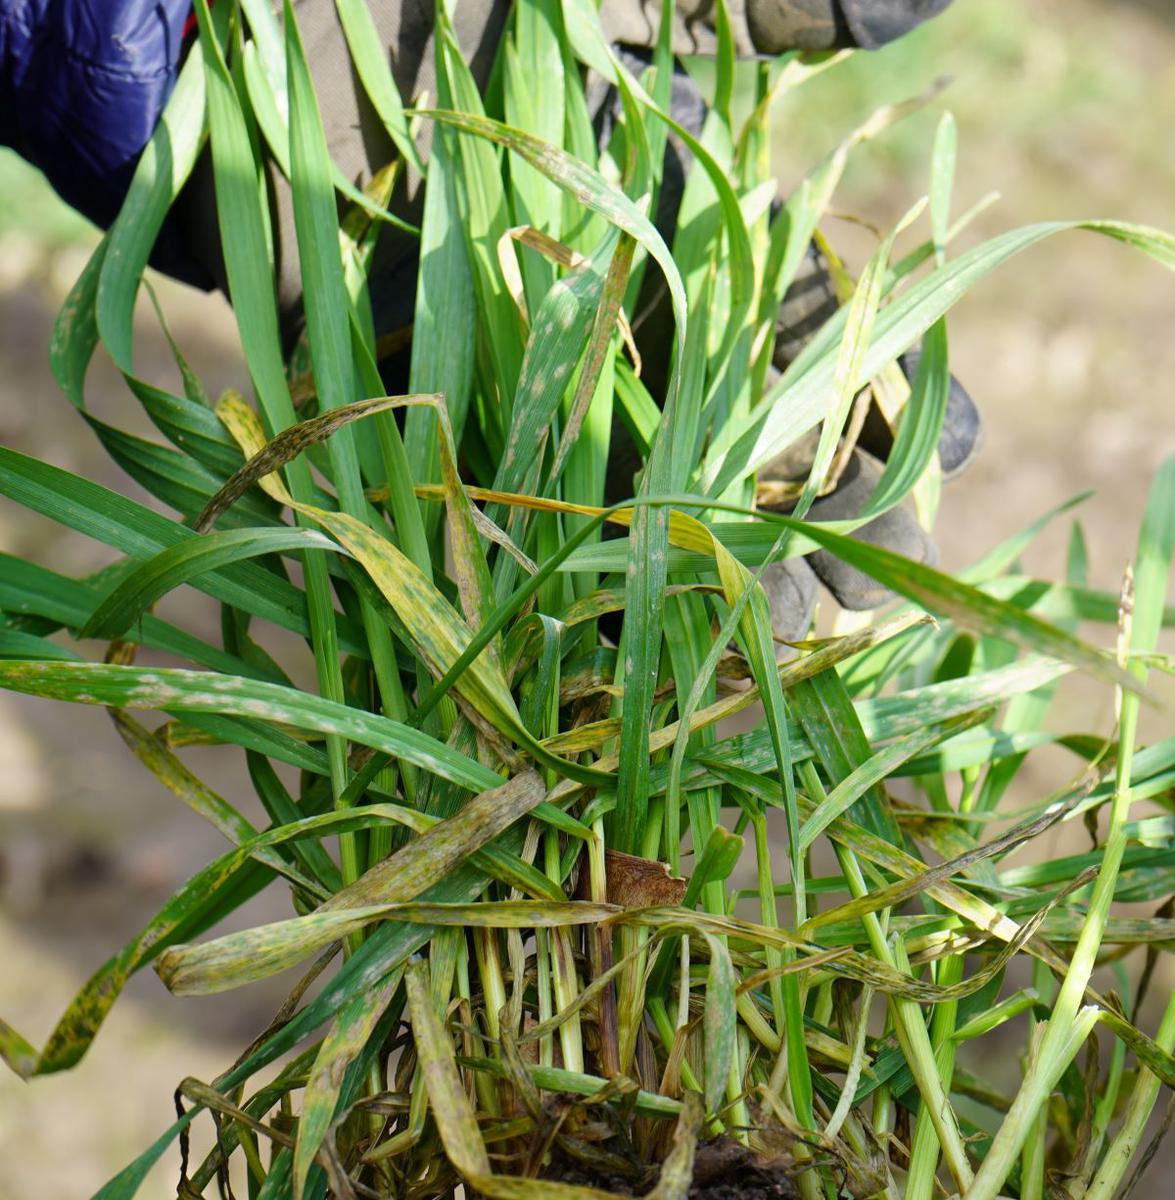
(1065, 107)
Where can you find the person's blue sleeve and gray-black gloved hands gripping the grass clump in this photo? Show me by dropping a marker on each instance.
(87, 141)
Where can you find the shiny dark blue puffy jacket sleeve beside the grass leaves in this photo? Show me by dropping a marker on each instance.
(82, 87)
